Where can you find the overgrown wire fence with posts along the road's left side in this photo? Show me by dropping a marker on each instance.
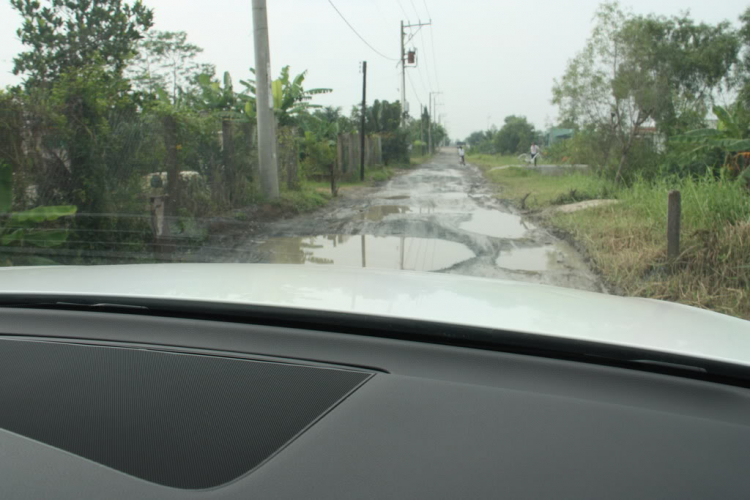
(145, 185)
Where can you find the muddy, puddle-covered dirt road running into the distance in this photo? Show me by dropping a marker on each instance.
(441, 217)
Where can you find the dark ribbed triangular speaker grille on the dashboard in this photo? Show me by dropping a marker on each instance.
(180, 420)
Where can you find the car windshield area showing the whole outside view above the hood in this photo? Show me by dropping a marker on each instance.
(597, 146)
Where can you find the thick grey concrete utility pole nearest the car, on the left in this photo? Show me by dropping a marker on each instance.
(268, 161)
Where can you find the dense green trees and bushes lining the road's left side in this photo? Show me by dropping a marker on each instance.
(112, 114)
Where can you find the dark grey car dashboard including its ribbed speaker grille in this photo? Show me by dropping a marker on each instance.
(131, 406)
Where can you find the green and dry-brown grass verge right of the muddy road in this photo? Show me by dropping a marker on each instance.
(627, 241)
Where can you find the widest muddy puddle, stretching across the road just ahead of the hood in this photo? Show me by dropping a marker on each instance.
(382, 252)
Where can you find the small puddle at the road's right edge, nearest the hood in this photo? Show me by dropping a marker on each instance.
(559, 256)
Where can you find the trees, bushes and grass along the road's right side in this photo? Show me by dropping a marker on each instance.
(641, 99)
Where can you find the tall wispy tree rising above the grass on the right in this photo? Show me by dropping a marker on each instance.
(635, 69)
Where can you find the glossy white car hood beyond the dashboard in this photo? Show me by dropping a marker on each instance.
(512, 306)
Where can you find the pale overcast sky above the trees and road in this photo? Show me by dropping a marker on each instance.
(491, 58)
